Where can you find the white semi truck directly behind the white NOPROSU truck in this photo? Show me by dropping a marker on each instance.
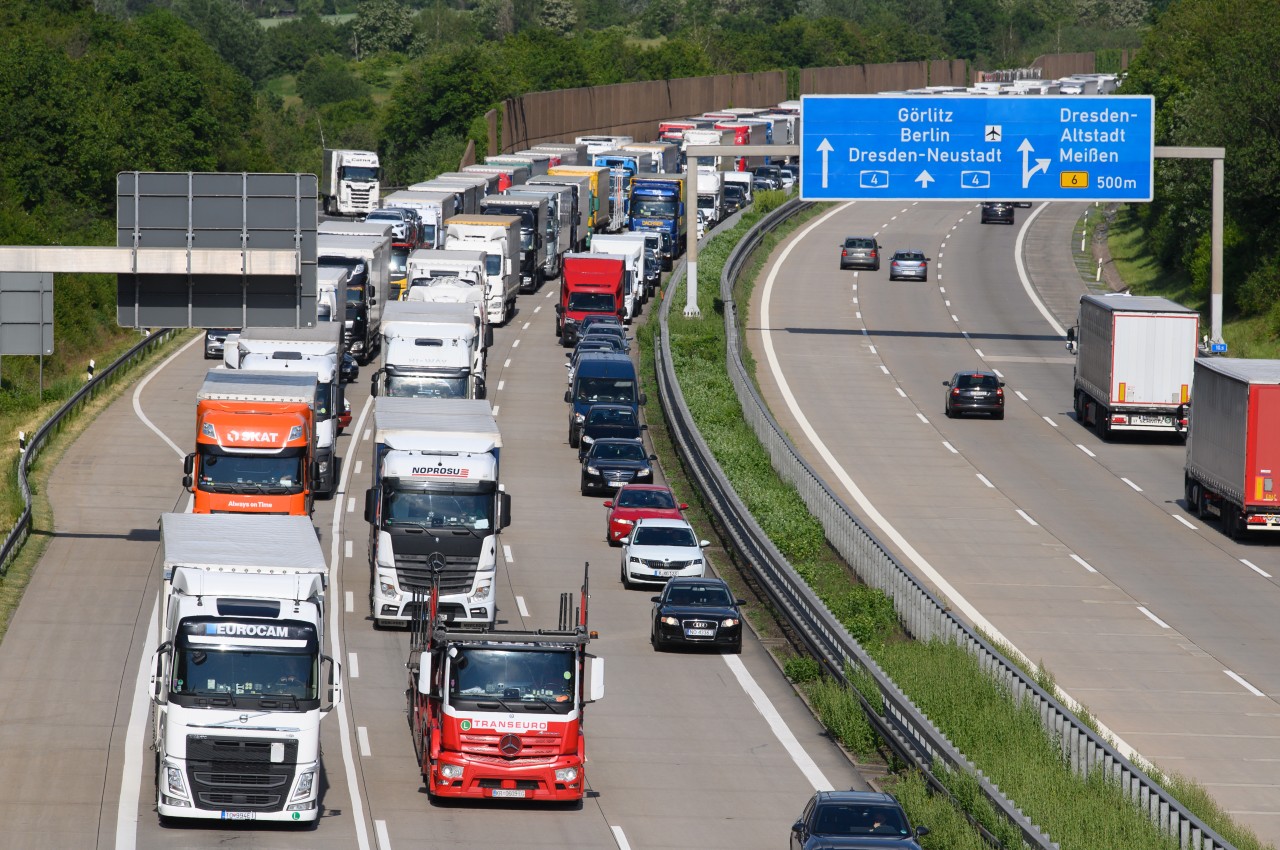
(431, 351)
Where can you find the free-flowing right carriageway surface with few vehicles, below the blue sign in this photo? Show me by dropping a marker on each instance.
(1076, 551)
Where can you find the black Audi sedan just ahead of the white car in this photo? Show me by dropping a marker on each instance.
(697, 613)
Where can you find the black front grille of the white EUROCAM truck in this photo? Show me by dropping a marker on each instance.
(239, 775)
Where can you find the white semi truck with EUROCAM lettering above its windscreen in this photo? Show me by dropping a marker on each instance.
(240, 682)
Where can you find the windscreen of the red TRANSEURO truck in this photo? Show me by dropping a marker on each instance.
(513, 680)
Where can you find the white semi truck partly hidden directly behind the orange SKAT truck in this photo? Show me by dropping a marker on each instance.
(316, 351)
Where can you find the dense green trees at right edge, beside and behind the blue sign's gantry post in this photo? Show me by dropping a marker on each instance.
(1215, 89)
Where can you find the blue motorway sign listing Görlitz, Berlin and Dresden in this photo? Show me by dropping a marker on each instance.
(1032, 148)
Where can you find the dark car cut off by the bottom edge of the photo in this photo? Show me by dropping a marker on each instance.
(854, 821)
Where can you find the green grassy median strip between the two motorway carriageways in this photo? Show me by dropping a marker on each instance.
(1004, 739)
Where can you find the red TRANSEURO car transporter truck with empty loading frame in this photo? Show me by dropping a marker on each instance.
(499, 714)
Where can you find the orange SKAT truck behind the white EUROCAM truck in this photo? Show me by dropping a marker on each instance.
(255, 444)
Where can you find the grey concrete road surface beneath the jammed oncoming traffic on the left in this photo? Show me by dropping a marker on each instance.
(680, 753)
